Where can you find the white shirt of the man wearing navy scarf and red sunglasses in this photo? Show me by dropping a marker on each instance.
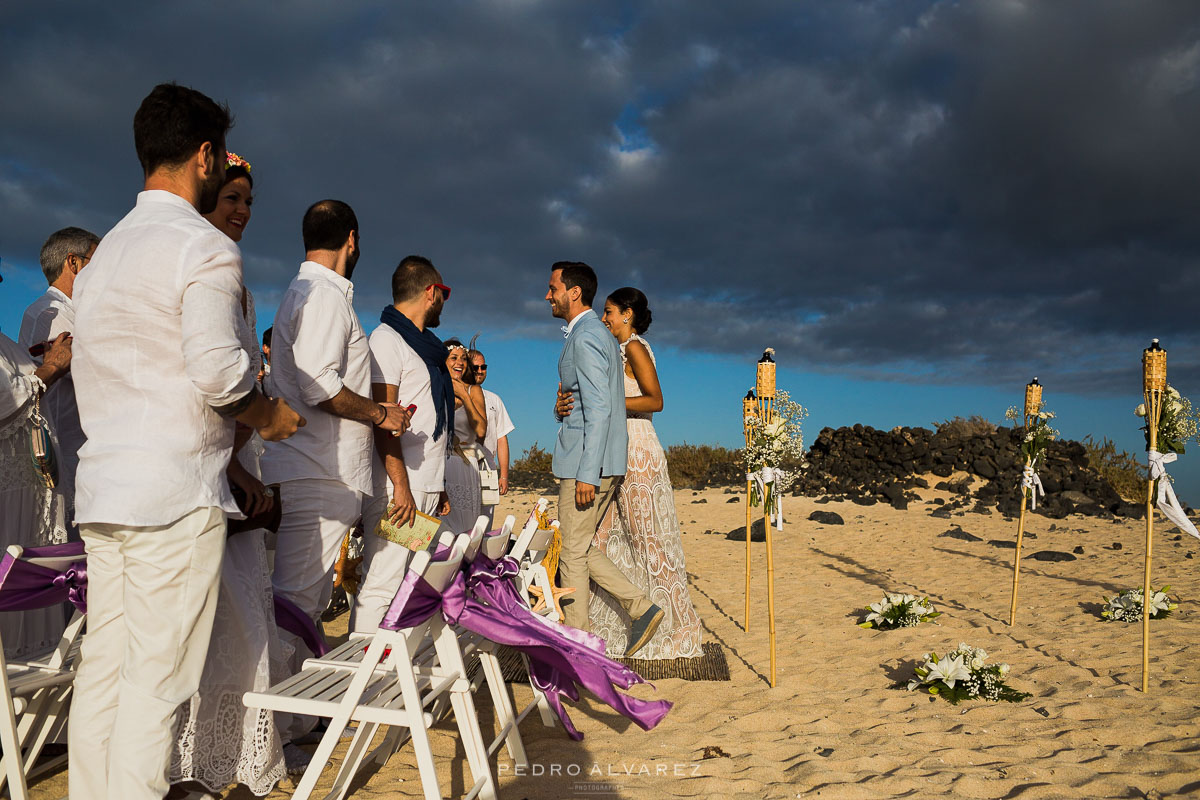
(397, 364)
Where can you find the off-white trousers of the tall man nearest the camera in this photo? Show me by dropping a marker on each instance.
(152, 597)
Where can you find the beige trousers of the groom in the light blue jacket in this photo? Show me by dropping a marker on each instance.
(580, 562)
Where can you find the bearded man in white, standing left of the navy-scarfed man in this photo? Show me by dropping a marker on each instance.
(321, 364)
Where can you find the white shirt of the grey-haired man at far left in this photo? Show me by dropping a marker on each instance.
(47, 317)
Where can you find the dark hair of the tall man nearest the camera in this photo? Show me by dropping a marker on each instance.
(172, 124)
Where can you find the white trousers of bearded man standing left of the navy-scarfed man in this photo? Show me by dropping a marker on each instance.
(317, 514)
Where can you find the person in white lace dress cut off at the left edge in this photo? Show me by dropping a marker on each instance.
(32, 514)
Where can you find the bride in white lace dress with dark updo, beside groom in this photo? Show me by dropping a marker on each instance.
(641, 533)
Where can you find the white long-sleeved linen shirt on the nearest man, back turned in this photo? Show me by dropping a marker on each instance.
(155, 350)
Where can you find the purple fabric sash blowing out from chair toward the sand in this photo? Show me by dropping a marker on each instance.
(562, 659)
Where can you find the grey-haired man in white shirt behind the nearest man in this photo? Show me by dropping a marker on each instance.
(64, 255)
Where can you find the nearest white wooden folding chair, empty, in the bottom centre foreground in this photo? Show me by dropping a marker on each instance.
(389, 688)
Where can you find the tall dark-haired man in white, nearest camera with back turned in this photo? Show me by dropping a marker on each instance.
(163, 376)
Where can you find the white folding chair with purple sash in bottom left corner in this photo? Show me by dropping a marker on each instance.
(37, 694)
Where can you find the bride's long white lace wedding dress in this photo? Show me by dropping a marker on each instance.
(641, 536)
